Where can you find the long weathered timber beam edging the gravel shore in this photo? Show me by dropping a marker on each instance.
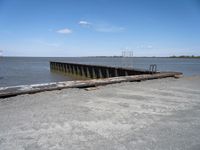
(35, 88)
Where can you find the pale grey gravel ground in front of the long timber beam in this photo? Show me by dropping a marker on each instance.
(157, 114)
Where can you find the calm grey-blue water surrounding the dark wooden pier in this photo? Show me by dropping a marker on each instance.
(33, 70)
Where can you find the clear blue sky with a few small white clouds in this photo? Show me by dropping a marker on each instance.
(67, 28)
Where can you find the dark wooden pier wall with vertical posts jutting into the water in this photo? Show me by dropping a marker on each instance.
(85, 71)
